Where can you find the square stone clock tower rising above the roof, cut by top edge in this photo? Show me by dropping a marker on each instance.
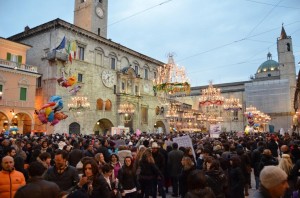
(91, 15)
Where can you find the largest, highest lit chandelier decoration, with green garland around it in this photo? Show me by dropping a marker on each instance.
(170, 80)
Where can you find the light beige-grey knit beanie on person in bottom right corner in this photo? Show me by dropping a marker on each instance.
(271, 176)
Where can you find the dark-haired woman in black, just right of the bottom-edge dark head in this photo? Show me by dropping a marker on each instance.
(216, 179)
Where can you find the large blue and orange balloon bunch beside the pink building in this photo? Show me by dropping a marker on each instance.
(50, 112)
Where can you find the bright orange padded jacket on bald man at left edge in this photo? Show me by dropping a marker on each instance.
(10, 182)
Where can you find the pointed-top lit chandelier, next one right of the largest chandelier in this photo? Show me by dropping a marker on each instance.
(211, 96)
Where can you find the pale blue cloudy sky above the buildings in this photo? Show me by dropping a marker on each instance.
(219, 40)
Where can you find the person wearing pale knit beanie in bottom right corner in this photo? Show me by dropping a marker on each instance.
(273, 183)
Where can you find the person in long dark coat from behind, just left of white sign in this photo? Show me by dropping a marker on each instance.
(174, 167)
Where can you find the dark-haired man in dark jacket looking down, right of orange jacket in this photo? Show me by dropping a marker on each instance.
(64, 175)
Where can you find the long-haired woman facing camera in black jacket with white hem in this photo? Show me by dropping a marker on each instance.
(127, 179)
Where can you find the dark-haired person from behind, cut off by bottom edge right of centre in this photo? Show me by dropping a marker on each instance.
(197, 186)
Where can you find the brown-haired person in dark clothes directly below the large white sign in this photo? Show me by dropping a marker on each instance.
(187, 167)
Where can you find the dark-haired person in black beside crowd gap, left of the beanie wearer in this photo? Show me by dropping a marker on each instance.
(236, 178)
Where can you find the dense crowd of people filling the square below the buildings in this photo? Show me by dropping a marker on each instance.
(60, 165)
